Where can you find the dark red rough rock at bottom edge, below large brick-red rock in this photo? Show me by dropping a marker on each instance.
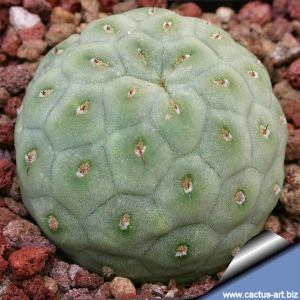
(36, 289)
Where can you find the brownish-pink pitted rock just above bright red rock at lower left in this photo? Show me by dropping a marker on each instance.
(17, 231)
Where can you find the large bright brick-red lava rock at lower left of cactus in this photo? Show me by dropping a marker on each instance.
(27, 262)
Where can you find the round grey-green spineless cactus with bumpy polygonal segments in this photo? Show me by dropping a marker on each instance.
(150, 145)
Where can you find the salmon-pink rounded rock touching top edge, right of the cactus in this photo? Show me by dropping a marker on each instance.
(255, 12)
